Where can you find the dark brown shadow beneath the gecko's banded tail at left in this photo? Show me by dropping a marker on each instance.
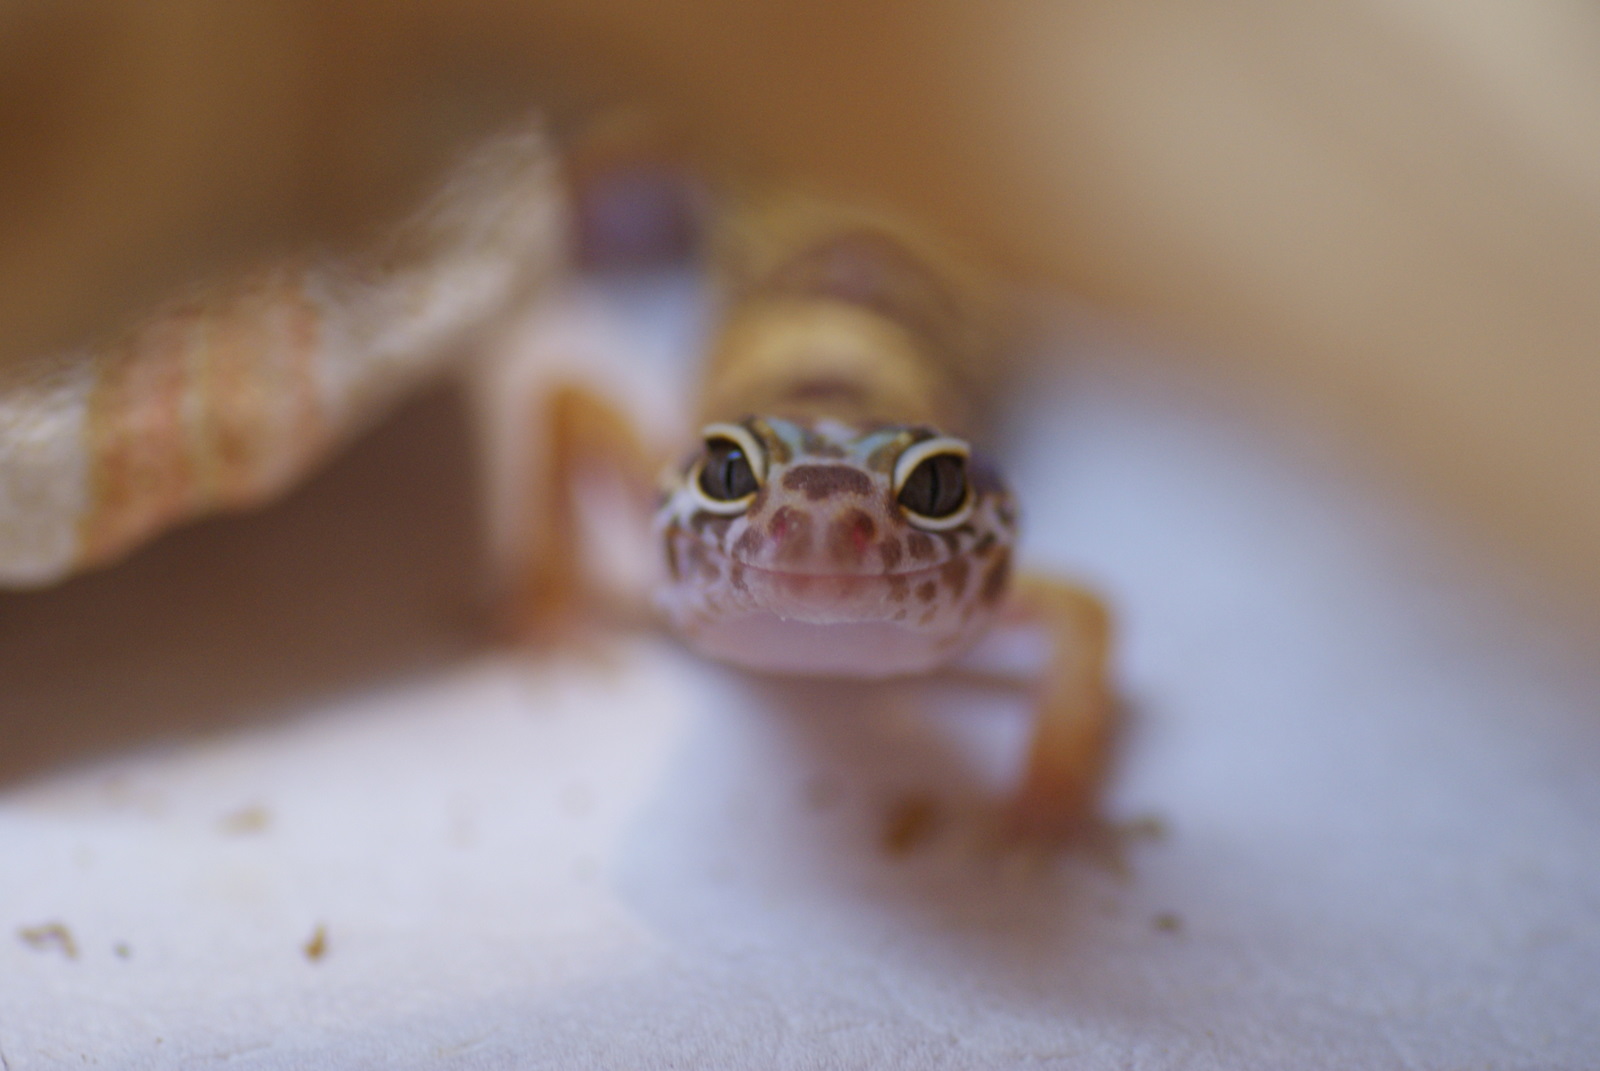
(366, 572)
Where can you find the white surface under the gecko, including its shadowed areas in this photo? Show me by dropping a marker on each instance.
(1378, 777)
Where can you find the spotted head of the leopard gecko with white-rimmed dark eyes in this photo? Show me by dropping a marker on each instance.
(831, 548)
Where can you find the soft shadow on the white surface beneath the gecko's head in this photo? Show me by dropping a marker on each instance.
(854, 812)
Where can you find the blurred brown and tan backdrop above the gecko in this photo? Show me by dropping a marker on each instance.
(1388, 206)
